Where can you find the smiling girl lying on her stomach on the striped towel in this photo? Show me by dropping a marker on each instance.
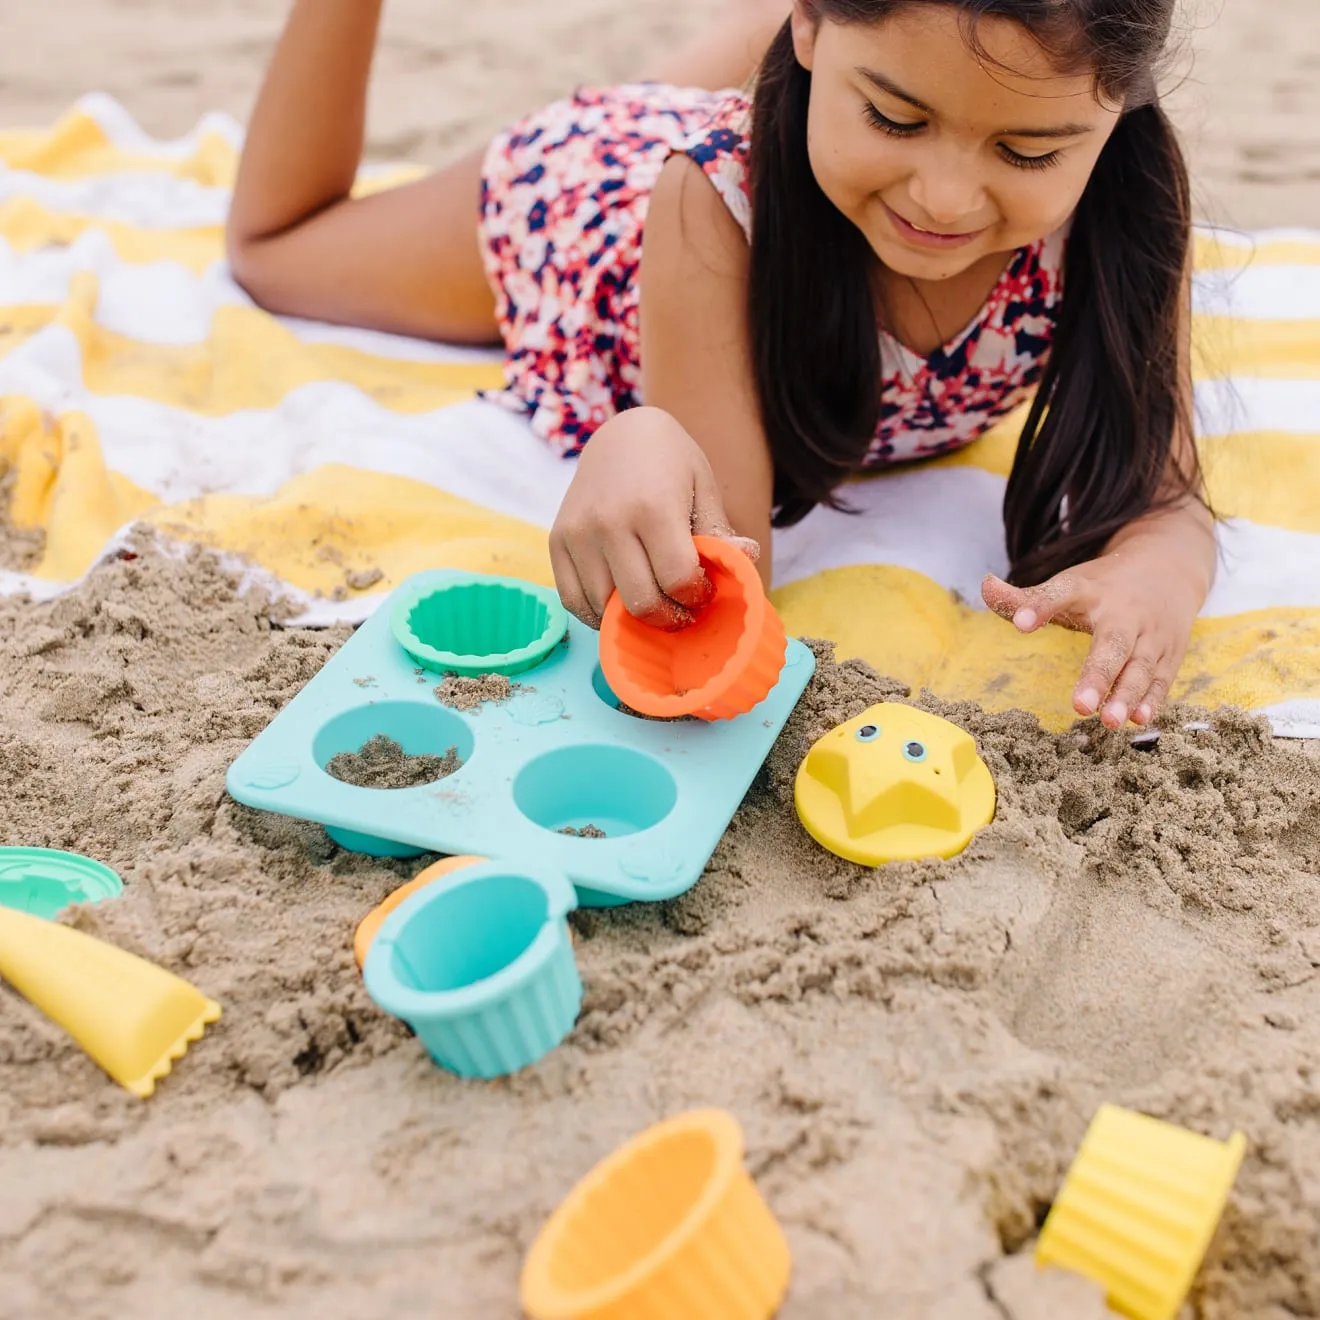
(927, 211)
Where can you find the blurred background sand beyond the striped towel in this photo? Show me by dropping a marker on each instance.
(449, 75)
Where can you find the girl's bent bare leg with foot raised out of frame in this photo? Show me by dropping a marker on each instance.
(405, 261)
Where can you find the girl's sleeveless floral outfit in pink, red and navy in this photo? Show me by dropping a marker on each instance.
(564, 204)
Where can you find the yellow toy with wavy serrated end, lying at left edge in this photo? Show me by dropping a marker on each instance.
(134, 1018)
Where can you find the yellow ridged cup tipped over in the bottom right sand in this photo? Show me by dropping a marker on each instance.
(1138, 1210)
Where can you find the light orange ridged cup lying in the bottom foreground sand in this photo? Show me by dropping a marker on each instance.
(670, 1227)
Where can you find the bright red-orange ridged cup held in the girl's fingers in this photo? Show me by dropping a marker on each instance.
(719, 667)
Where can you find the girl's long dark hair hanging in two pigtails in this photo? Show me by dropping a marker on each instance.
(1096, 448)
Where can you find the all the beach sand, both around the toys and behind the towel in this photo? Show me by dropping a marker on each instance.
(914, 1053)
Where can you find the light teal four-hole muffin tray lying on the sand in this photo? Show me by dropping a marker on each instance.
(559, 756)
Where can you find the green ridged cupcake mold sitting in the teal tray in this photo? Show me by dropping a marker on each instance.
(475, 624)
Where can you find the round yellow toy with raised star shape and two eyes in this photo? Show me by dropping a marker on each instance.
(894, 785)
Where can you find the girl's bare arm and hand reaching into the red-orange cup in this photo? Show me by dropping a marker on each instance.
(696, 457)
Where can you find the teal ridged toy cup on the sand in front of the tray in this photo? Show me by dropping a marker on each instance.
(481, 966)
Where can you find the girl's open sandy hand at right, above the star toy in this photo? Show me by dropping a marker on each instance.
(1140, 614)
